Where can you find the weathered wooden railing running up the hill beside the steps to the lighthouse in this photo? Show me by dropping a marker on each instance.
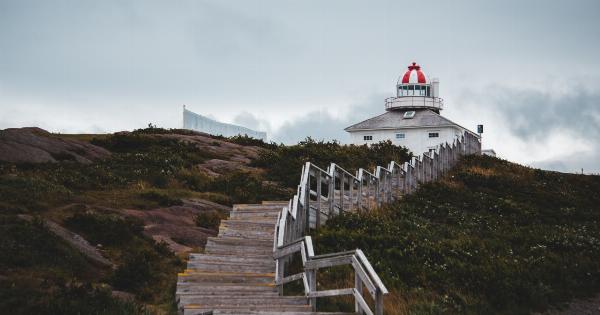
(323, 194)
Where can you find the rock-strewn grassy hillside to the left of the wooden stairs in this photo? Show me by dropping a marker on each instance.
(148, 169)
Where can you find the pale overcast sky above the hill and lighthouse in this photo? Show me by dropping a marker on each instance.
(527, 70)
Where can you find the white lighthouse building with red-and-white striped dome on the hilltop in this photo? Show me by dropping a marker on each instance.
(412, 118)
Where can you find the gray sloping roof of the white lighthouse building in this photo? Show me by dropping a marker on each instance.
(395, 120)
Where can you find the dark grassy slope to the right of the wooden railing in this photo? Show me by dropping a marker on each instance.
(493, 237)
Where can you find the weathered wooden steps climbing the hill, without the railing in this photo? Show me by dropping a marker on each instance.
(236, 272)
